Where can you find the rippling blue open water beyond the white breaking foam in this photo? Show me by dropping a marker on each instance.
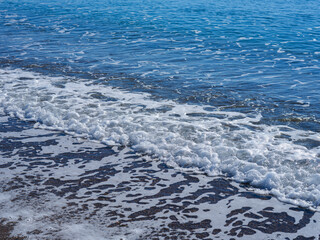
(249, 56)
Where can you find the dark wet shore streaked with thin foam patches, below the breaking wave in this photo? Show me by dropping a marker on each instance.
(56, 186)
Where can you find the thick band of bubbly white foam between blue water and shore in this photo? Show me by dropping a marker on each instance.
(186, 135)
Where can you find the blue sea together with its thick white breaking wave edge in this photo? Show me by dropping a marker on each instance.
(229, 86)
